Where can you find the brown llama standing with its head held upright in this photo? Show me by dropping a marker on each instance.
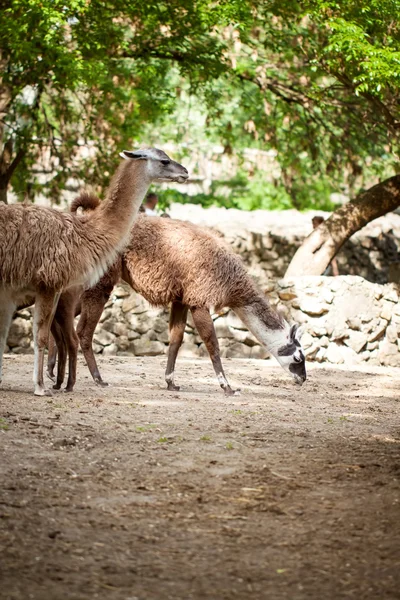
(44, 251)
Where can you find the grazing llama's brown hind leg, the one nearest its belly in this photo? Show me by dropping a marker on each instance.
(92, 307)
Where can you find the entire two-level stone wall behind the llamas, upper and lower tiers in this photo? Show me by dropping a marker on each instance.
(348, 319)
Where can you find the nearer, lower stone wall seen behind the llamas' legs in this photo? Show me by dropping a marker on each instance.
(346, 320)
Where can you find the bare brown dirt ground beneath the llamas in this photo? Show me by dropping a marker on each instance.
(133, 493)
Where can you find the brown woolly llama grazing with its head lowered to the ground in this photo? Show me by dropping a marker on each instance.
(174, 262)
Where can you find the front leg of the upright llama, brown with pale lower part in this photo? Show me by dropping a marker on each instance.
(45, 306)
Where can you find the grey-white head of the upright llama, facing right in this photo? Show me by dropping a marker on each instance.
(160, 167)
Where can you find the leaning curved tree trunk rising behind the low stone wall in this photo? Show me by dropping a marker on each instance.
(318, 249)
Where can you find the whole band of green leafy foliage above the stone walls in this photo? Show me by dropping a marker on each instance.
(316, 82)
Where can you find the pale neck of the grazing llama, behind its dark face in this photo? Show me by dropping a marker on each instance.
(270, 329)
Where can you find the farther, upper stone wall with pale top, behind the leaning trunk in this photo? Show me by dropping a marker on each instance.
(267, 241)
